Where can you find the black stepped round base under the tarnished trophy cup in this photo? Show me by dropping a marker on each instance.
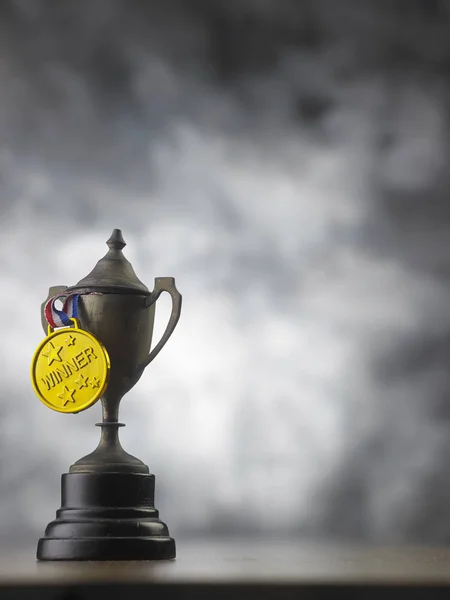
(107, 516)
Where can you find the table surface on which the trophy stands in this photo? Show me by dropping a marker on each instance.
(233, 569)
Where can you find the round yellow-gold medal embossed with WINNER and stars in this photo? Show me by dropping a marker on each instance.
(70, 369)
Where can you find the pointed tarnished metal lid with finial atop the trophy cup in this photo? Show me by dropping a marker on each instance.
(113, 273)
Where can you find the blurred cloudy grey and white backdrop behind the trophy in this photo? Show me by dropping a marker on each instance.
(286, 162)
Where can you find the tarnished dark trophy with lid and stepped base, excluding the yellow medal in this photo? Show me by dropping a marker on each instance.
(121, 315)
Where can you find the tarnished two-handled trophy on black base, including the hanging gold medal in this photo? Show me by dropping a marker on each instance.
(98, 346)
